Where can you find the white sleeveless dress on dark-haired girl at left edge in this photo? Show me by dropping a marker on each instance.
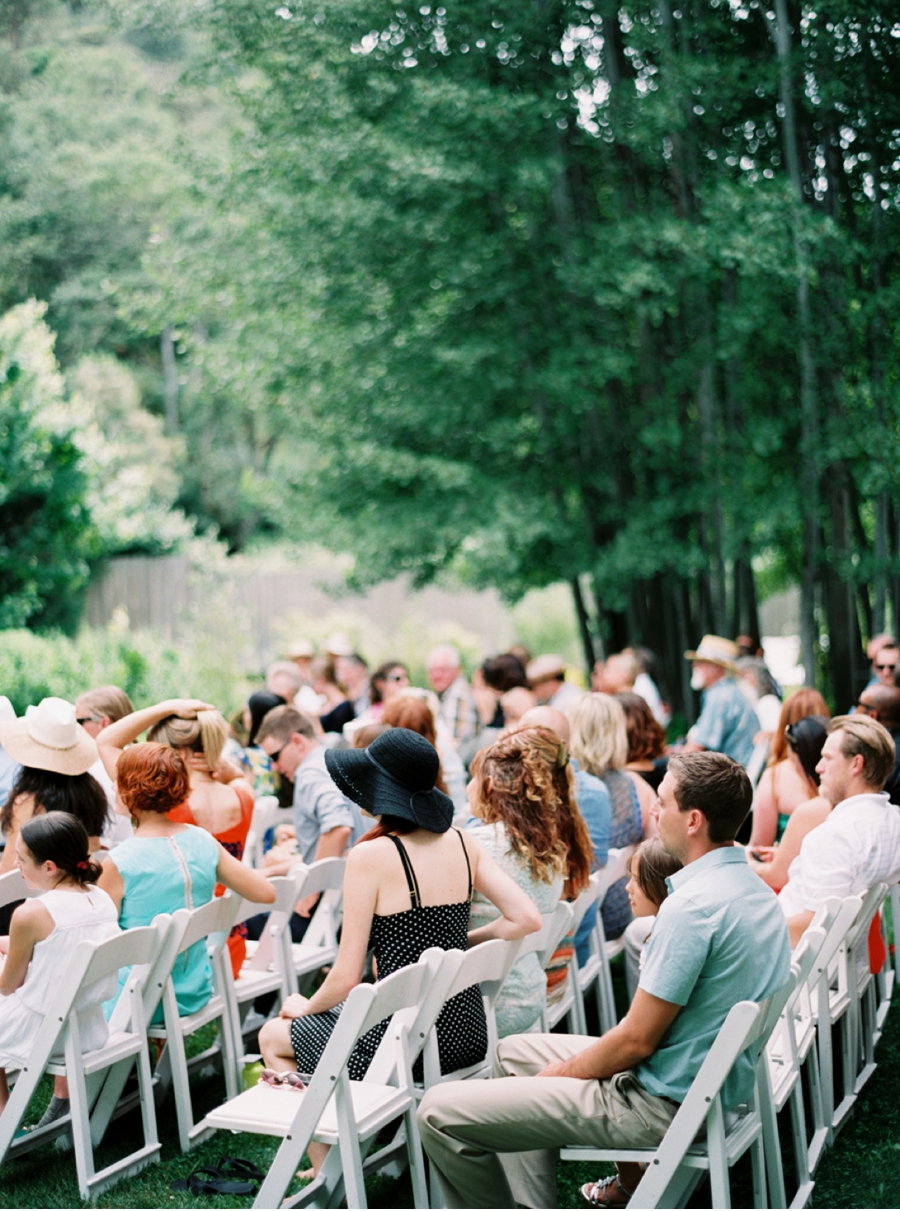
(77, 916)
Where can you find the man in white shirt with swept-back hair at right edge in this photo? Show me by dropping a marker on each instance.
(859, 845)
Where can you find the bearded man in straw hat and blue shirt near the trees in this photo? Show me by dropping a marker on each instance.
(727, 722)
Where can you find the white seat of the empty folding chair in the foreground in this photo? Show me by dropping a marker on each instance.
(266, 1111)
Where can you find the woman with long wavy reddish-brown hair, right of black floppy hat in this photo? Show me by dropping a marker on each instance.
(523, 790)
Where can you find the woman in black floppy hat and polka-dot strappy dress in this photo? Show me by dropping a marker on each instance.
(402, 897)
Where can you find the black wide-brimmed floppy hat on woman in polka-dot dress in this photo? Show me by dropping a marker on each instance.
(394, 777)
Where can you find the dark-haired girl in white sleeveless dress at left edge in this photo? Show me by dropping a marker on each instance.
(53, 854)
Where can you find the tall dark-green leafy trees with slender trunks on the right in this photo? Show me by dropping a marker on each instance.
(595, 290)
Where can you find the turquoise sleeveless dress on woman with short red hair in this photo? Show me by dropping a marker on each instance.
(164, 875)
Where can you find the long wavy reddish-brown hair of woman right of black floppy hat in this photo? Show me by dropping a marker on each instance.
(525, 783)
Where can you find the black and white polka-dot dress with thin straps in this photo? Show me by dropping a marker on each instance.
(399, 940)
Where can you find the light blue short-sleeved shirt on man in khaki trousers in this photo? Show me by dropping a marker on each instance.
(720, 938)
